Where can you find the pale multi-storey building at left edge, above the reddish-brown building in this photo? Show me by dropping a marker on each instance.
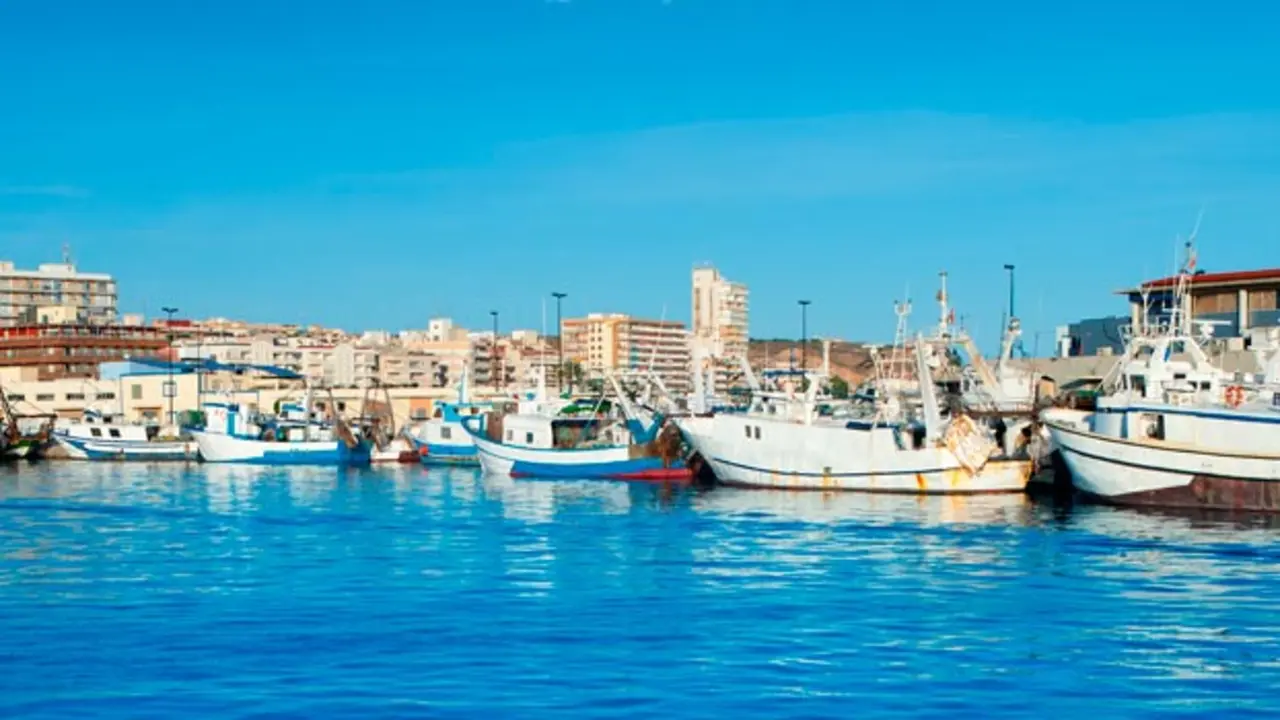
(83, 298)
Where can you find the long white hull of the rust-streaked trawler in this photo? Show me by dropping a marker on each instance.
(833, 458)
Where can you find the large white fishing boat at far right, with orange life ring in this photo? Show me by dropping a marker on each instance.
(1171, 429)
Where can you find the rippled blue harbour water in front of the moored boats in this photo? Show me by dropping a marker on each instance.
(240, 593)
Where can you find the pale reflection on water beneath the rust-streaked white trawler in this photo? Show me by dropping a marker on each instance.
(870, 508)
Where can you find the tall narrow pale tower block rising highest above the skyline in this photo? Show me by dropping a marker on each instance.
(721, 331)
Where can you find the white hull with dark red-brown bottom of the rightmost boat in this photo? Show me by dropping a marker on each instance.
(1156, 475)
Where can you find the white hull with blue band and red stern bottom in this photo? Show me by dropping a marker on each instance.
(609, 463)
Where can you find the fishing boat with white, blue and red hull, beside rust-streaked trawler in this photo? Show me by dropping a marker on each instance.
(619, 441)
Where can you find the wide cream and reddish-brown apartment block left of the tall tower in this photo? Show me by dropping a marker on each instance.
(621, 343)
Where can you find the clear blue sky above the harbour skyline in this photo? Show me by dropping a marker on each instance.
(373, 165)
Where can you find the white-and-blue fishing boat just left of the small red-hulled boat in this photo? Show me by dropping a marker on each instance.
(294, 438)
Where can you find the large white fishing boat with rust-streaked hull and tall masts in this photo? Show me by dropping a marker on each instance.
(898, 439)
